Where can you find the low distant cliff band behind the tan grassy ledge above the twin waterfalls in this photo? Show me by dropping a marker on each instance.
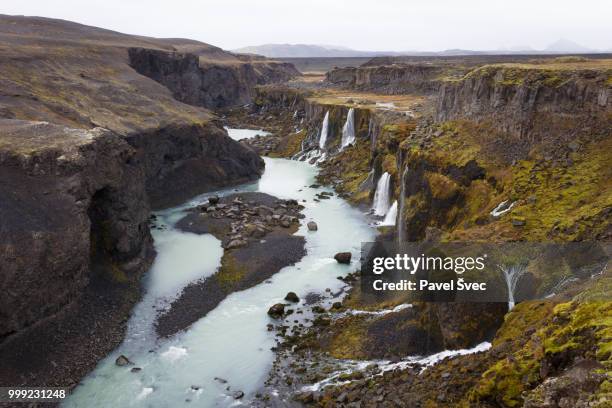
(389, 79)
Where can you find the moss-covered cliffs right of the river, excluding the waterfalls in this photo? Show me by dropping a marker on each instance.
(516, 152)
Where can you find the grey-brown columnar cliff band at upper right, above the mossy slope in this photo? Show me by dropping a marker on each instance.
(531, 103)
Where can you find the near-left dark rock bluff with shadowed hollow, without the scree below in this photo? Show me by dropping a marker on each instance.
(73, 205)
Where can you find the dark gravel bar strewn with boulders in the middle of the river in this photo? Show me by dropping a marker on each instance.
(265, 248)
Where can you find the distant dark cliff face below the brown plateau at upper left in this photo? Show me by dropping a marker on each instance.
(204, 83)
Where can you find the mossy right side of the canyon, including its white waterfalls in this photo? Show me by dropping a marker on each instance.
(482, 151)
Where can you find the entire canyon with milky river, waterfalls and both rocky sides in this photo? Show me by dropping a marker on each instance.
(98, 129)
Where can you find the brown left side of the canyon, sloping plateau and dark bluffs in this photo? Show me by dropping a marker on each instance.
(87, 146)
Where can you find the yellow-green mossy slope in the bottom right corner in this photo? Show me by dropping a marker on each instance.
(538, 332)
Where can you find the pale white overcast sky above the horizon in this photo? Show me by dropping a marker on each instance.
(394, 25)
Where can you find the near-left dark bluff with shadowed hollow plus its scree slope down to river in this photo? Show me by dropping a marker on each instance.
(74, 239)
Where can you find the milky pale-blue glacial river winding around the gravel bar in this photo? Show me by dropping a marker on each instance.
(231, 342)
